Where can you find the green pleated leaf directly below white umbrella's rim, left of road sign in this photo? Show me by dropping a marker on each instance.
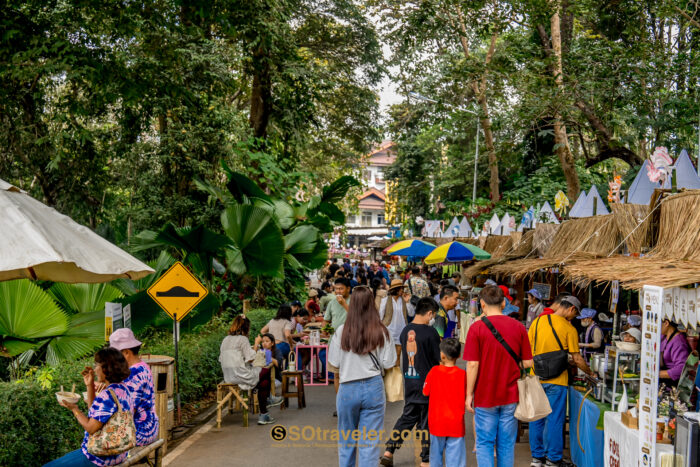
(84, 298)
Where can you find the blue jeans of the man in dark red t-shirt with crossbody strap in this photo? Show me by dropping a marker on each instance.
(497, 427)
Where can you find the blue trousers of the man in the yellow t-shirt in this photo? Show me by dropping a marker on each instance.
(547, 434)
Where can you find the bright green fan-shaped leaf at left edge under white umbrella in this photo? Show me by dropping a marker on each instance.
(27, 314)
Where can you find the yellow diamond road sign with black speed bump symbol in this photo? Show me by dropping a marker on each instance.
(177, 291)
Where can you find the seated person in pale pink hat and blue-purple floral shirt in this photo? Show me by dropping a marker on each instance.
(140, 382)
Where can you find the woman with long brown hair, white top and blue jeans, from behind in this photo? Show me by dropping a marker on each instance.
(361, 348)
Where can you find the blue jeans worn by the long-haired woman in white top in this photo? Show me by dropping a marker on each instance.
(360, 406)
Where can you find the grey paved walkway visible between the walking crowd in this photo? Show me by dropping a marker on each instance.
(254, 446)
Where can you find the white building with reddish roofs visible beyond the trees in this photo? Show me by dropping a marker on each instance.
(370, 220)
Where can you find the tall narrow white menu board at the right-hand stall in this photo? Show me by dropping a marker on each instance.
(652, 317)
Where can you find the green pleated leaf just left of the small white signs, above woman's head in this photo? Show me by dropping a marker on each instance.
(86, 332)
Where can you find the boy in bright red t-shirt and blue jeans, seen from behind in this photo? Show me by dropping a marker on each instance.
(446, 386)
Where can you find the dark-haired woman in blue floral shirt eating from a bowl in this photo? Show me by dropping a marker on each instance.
(111, 369)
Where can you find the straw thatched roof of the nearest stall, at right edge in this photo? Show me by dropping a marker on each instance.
(674, 261)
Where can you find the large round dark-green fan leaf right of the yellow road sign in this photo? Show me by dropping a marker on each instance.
(258, 242)
